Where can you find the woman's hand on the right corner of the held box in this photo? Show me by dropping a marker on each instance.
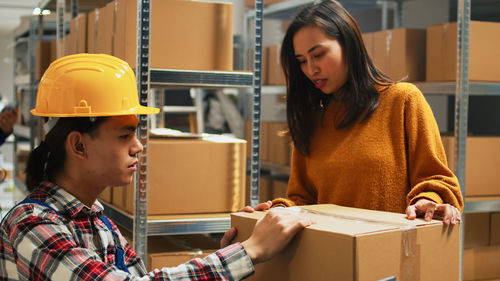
(430, 209)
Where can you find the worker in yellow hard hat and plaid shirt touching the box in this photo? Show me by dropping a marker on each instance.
(59, 232)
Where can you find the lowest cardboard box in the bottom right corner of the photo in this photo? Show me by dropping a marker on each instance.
(481, 263)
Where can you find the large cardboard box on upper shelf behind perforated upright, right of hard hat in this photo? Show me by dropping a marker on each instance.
(204, 40)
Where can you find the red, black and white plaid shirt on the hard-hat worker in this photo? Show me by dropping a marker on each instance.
(38, 244)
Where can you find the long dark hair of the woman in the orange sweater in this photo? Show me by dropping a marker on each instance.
(358, 94)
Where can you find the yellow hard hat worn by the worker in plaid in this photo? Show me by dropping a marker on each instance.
(86, 85)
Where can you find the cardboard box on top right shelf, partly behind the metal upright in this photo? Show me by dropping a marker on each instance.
(484, 55)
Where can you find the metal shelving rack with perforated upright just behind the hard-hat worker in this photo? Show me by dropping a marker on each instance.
(140, 224)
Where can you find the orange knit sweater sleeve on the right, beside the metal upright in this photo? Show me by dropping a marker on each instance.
(428, 170)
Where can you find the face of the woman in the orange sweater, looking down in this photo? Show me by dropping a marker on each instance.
(321, 58)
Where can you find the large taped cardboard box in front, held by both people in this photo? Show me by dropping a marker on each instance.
(356, 244)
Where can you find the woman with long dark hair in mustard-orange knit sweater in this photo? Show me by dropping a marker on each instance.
(360, 139)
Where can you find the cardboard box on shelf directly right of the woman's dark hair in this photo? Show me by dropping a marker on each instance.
(399, 52)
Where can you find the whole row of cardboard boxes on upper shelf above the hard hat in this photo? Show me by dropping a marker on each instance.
(112, 30)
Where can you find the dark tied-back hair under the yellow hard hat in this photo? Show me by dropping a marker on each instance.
(46, 161)
